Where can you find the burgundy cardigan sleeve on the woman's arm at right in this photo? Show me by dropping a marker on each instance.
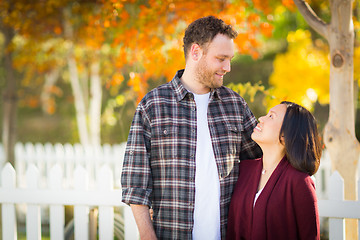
(306, 209)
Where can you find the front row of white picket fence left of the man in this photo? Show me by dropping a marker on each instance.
(104, 196)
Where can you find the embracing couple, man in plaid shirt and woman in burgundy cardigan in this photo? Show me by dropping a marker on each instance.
(184, 148)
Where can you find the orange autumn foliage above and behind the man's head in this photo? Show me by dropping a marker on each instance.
(144, 37)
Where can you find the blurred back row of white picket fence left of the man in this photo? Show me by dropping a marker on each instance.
(44, 156)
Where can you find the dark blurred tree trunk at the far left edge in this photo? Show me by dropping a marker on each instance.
(10, 100)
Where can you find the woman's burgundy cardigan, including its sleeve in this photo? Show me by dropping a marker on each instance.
(286, 208)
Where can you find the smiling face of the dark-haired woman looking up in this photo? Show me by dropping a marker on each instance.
(268, 129)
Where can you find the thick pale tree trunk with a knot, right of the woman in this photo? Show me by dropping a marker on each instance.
(339, 133)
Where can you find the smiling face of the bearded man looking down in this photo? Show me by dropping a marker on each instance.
(215, 61)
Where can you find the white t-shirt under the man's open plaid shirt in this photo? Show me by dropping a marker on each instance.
(207, 184)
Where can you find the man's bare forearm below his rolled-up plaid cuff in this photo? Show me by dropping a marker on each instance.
(143, 221)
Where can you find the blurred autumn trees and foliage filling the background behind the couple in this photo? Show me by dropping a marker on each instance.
(75, 70)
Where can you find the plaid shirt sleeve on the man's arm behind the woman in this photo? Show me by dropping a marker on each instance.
(249, 148)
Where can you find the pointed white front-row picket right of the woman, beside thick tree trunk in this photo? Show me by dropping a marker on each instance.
(336, 192)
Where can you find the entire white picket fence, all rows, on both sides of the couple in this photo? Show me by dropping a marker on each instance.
(48, 177)
